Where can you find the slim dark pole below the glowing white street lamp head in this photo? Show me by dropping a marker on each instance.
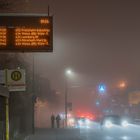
(66, 111)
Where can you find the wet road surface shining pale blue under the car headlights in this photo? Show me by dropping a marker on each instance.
(115, 133)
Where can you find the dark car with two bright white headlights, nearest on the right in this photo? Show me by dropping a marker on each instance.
(111, 120)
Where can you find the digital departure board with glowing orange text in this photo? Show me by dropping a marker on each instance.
(26, 33)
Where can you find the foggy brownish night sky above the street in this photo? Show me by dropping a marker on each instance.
(98, 39)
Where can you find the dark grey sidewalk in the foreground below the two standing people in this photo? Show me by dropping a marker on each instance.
(55, 134)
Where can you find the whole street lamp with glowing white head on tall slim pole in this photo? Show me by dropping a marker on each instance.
(68, 72)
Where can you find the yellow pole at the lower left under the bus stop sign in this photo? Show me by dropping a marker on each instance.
(7, 118)
